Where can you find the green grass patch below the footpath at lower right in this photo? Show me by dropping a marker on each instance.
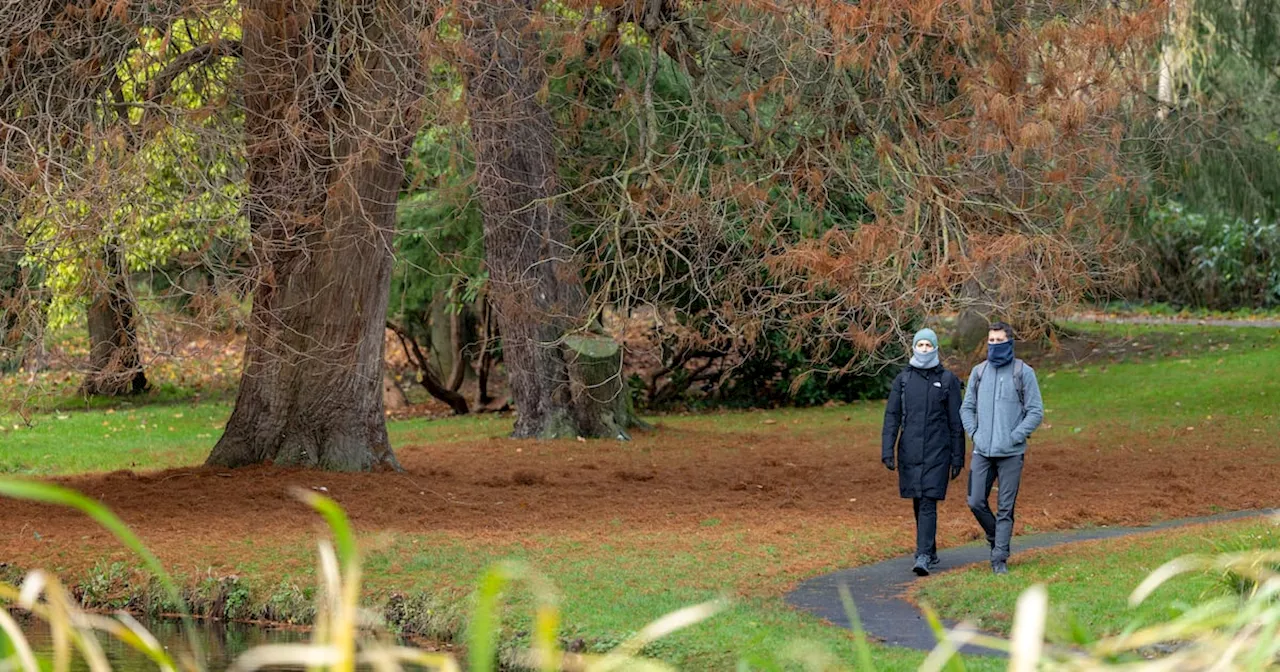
(1090, 583)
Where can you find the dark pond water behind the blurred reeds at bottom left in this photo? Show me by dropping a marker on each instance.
(222, 642)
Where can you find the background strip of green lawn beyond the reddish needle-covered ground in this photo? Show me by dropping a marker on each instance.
(1191, 378)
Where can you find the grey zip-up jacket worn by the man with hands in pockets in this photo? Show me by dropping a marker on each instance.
(995, 420)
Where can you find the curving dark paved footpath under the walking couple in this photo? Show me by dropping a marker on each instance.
(879, 591)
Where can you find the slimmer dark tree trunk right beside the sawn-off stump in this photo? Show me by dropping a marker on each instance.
(536, 289)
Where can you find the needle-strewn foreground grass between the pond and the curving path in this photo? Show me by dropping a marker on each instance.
(607, 592)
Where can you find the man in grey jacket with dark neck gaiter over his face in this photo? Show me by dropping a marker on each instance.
(1002, 409)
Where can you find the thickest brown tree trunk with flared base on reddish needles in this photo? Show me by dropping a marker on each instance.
(331, 93)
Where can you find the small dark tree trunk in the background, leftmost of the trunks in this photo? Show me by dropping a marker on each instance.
(116, 367)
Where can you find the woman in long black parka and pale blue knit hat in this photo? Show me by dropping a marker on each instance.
(922, 422)
